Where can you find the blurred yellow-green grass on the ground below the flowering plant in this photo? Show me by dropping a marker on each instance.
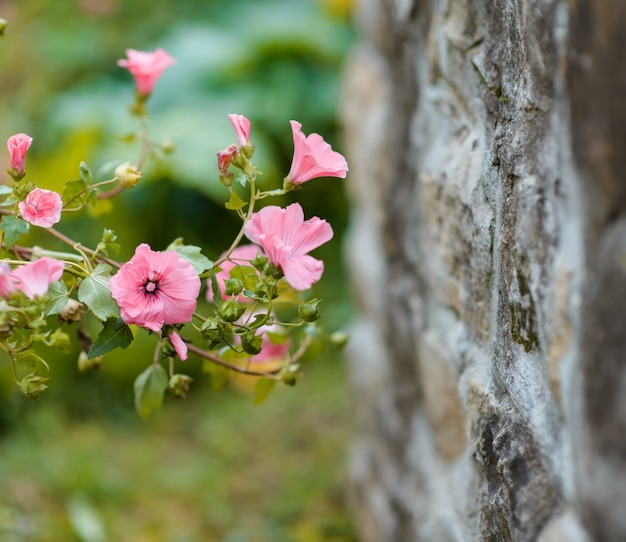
(210, 467)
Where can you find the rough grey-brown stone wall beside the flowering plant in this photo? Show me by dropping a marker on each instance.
(487, 145)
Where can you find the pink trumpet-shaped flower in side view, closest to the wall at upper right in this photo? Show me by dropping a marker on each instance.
(313, 157)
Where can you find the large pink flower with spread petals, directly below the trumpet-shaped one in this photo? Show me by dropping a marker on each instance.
(286, 238)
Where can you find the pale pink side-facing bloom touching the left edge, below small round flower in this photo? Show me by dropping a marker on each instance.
(33, 279)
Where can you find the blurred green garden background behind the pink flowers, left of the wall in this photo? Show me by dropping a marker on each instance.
(78, 464)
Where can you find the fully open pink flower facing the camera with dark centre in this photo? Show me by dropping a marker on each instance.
(155, 288)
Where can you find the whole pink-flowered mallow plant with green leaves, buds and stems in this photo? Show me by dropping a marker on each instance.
(243, 292)
